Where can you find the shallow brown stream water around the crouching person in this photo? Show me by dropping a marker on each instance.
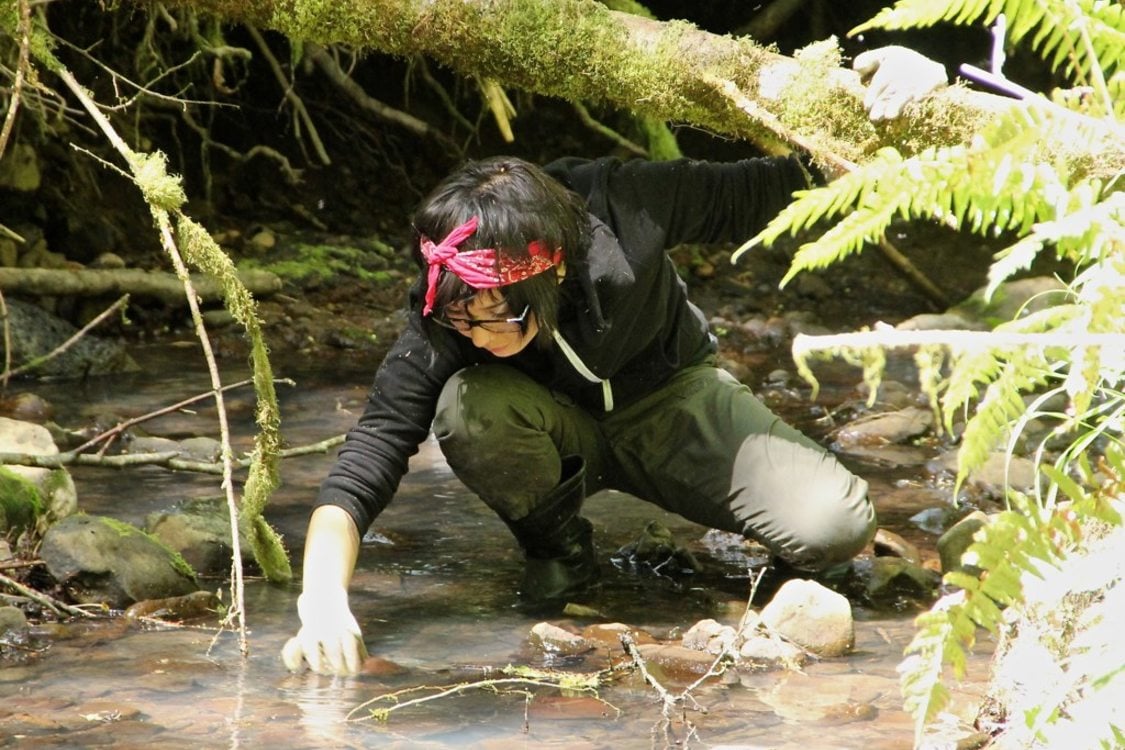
(434, 592)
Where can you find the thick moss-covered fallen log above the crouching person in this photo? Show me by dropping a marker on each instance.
(580, 51)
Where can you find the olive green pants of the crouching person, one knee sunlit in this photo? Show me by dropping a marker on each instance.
(703, 447)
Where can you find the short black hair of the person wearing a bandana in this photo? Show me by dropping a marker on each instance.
(516, 204)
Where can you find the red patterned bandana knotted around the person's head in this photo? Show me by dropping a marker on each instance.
(481, 269)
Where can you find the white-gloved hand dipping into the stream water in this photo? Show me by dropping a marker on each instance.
(329, 640)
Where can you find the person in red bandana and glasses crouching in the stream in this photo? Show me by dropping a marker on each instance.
(554, 353)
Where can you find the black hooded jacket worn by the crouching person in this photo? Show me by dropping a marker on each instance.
(624, 312)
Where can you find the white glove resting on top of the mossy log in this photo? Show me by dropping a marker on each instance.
(896, 77)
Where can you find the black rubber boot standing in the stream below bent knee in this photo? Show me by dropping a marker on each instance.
(559, 544)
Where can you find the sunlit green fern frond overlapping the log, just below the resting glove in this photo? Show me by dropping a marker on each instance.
(993, 185)
